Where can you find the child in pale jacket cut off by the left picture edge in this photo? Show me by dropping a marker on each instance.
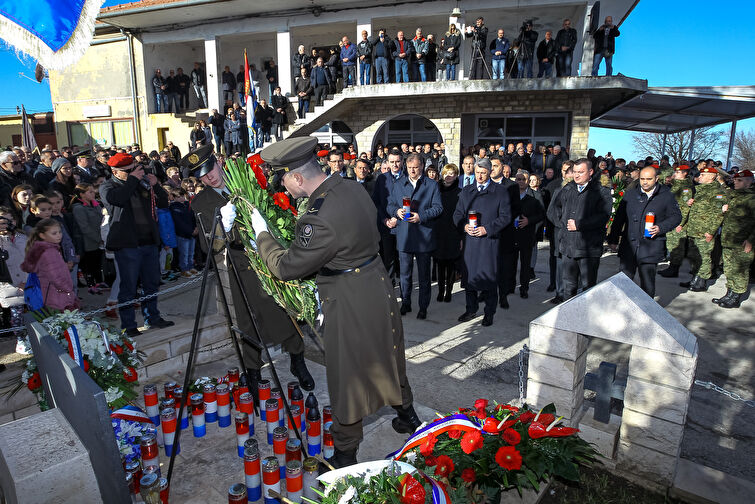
(12, 278)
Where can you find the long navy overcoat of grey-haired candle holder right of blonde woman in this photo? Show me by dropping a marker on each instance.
(480, 265)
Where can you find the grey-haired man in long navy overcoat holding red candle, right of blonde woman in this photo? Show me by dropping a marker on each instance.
(492, 212)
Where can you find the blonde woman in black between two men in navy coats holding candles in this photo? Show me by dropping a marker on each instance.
(447, 235)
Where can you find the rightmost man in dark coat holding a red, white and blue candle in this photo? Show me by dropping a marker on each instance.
(643, 243)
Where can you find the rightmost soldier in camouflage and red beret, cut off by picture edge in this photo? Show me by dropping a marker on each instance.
(737, 239)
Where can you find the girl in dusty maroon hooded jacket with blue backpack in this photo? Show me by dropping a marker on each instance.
(43, 257)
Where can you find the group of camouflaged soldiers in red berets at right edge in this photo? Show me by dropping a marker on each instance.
(707, 207)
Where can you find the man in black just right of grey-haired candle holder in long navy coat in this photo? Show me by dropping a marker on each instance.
(531, 212)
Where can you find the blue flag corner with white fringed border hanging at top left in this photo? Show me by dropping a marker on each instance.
(54, 32)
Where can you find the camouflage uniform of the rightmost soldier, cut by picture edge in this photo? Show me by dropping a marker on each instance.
(738, 226)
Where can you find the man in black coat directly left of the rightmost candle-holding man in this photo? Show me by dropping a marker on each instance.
(582, 209)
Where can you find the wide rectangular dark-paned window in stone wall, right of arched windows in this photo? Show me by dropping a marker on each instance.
(538, 129)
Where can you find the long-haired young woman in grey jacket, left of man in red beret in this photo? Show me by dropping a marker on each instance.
(87, 213)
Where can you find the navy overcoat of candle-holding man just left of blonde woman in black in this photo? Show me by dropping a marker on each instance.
(425, 201)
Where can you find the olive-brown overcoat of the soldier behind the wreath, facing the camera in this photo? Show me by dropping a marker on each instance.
(275, 325)
